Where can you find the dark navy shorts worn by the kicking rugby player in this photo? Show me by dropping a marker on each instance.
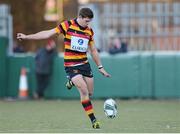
(84, 70)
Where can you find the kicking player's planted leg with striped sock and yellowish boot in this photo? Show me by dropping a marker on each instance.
(81, 85)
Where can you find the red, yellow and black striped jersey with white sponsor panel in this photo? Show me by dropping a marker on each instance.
(76, 42)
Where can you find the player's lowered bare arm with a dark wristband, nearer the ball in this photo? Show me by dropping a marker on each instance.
(96, 58)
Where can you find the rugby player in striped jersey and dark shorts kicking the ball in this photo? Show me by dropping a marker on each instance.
(78, 38)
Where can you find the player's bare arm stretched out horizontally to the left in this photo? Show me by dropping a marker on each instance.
(37, 36)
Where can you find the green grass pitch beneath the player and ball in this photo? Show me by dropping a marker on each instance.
(67, 116)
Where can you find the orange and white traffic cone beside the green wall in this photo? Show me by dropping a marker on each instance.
(23, 86)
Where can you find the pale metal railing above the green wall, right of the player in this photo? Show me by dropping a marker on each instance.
(145, 26)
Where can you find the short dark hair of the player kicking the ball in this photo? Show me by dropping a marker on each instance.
(86, 12)
